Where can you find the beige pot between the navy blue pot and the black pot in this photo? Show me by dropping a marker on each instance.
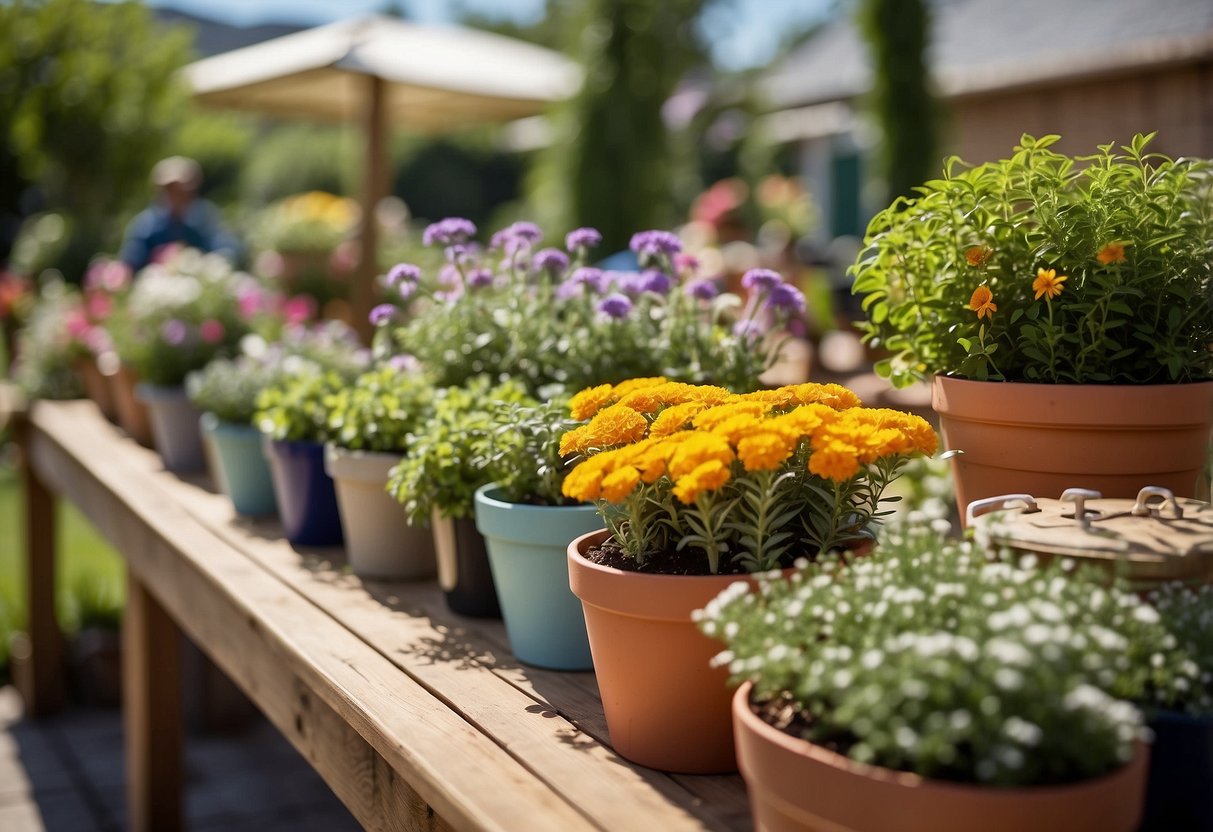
(380, 543)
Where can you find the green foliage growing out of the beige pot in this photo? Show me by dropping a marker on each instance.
(380, 411)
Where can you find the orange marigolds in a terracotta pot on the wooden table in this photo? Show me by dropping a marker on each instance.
(697, 487)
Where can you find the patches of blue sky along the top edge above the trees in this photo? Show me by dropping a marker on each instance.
(743, 33)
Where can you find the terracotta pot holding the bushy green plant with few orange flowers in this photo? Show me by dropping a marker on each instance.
(1043, 440)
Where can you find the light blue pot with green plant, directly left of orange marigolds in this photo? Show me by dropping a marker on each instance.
(527, 526)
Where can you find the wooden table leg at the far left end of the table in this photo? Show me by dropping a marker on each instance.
(39, 662)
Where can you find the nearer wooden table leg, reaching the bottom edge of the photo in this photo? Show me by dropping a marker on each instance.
(151, 713)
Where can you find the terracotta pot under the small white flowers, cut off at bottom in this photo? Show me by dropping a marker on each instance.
(795, 785)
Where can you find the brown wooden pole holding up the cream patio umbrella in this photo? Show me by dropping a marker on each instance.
(375, 181)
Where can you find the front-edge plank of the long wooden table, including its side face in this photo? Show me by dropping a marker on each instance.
(312, 677)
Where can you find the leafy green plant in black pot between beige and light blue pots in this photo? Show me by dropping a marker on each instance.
(437, 483)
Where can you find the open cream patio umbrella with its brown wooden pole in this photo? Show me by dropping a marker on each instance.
(380, 72)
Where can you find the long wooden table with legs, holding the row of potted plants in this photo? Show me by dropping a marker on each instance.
(418, 719)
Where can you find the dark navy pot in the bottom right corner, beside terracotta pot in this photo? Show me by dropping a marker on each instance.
(1180, 795)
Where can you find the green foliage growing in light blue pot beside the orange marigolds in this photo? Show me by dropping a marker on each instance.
(523, 453)
